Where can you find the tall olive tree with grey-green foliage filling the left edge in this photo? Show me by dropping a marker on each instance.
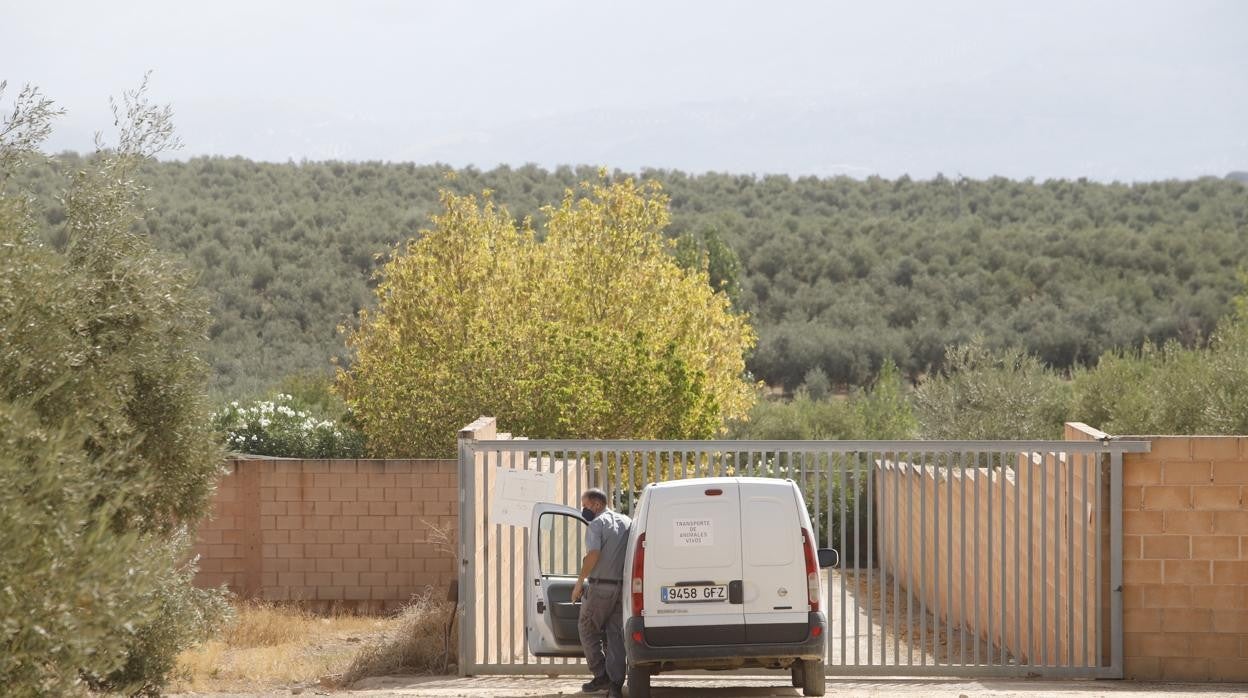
(107, 453)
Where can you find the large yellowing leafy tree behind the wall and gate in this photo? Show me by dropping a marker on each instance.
(592, 332)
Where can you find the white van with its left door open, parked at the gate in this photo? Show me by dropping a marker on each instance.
(723, 573)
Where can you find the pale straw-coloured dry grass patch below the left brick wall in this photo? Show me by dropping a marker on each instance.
(270, 646)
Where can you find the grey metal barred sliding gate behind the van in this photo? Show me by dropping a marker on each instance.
(958, 558)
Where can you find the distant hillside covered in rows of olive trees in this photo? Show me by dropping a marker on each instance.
(837, 274)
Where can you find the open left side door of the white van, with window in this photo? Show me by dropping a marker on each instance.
(557, 545)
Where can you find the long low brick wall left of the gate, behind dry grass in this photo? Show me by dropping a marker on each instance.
(355, 534)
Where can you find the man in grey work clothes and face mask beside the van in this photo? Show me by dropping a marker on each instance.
(602, 635)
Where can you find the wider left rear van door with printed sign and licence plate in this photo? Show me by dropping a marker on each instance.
(693, 565)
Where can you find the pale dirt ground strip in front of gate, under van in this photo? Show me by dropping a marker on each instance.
(758, 687)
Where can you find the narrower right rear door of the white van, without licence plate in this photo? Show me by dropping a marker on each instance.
(774, 568)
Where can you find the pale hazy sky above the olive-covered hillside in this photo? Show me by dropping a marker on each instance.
(1046, 89)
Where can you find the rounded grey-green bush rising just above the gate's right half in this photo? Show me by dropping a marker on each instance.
(992, 395)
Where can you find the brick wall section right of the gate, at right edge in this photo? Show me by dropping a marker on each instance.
(1186, 560)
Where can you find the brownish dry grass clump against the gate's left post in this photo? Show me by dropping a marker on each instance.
(420, 644)
